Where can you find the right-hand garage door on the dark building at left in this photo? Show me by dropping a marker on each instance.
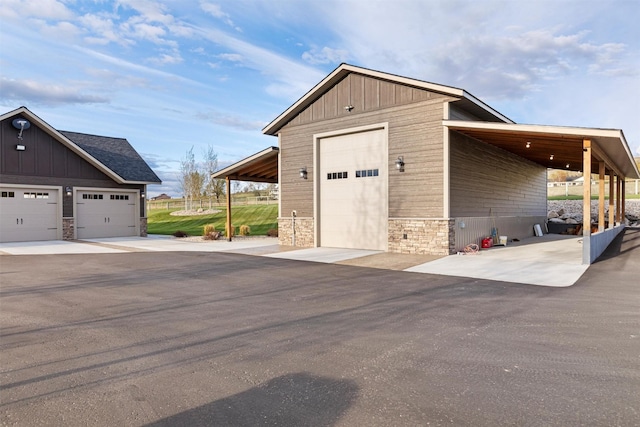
(105, 214)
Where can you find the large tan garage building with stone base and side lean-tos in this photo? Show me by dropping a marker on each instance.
(372, 160)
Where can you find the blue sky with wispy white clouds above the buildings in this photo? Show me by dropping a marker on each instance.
(175, 74)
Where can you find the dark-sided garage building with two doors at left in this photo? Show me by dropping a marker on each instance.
(66, 185)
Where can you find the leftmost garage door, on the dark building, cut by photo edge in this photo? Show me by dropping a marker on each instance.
(29, 214)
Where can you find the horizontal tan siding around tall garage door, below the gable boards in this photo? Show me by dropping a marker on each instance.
(415, 132)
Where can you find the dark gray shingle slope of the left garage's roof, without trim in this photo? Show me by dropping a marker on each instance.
(116, 154)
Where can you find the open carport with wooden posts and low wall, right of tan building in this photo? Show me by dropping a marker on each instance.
(604, 152)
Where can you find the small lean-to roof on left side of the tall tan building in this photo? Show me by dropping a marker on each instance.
(260, 167)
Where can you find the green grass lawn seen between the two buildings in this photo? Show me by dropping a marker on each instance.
(260, 218)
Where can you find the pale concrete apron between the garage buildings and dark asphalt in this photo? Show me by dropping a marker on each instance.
(551, 260)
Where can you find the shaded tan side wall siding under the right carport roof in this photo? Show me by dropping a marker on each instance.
(486, 180)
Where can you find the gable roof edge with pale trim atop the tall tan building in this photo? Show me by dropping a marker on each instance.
(468, 101)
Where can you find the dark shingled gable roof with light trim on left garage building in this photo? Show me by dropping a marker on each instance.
(115, 157)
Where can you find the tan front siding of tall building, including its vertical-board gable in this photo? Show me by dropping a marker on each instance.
(415, 132)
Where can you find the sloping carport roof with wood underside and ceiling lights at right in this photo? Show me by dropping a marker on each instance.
(554, 147)
